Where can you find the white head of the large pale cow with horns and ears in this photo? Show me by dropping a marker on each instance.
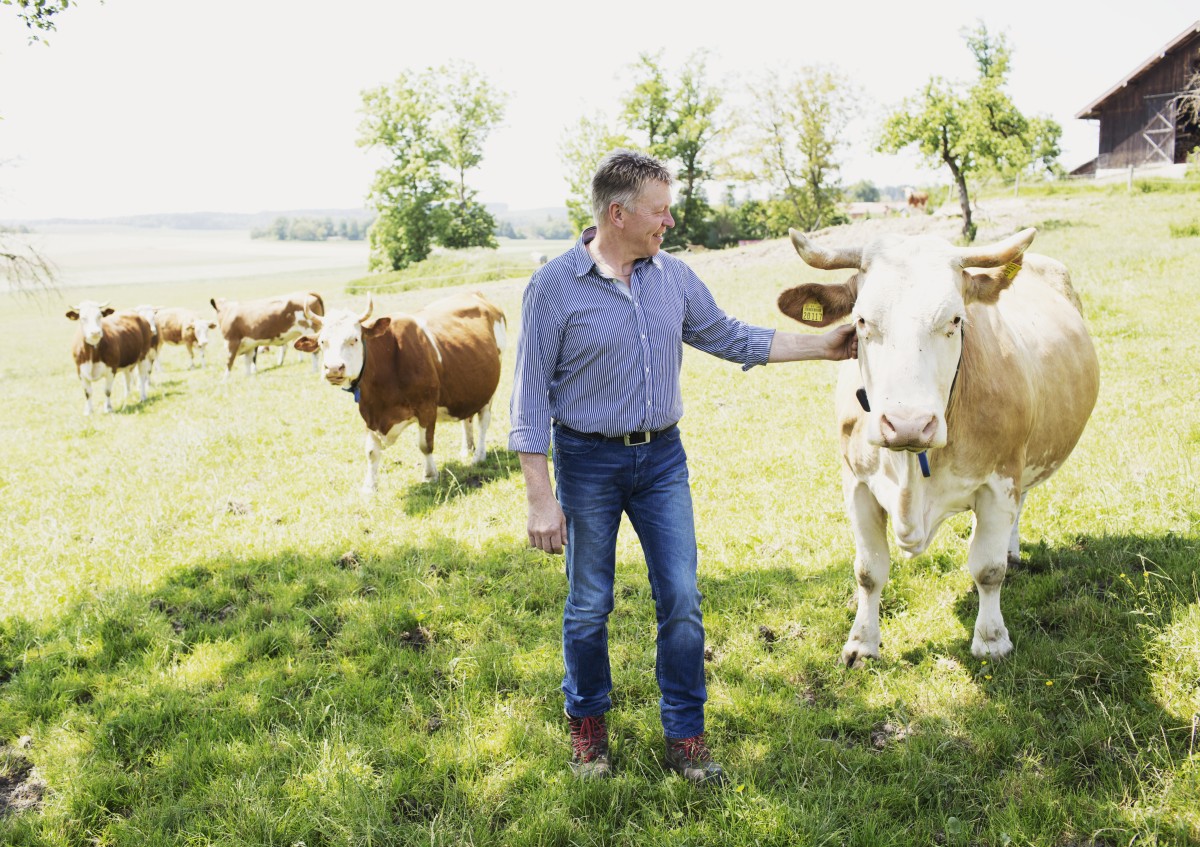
(909, 301)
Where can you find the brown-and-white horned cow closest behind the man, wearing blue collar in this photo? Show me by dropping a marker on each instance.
(442, 363)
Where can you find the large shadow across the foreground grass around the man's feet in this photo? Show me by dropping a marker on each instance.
(392, 693)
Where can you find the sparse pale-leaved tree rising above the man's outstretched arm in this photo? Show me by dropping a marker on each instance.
(800, 127)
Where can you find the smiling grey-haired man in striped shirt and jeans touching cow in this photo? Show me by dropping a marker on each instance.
(598, 371)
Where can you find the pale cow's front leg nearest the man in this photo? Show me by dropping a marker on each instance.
(872, 569)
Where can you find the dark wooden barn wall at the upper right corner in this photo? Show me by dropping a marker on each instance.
(1127, 113)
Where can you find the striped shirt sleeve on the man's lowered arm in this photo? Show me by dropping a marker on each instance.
(538, 347)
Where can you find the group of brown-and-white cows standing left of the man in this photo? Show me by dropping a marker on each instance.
(442, 363)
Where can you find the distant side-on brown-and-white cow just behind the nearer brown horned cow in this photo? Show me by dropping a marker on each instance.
(268, 323)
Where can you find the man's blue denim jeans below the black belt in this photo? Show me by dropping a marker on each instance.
(596, 483)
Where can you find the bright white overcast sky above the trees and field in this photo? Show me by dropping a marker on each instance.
(245, 106)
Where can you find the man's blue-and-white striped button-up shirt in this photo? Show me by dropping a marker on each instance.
(599, 361)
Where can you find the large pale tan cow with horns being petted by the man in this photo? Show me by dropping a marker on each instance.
(975, 379)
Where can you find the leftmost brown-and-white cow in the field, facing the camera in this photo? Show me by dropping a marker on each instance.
(106, 345)
